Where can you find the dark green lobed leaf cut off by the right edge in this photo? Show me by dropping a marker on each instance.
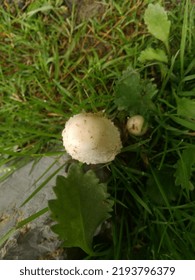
(184, 168)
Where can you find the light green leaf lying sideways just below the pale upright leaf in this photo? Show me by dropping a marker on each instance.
(151, 54)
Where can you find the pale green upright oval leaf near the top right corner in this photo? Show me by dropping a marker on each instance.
(157, 22)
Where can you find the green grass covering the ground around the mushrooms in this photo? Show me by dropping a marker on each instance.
(54, 66)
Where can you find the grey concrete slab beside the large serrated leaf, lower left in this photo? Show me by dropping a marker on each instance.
(36, 240)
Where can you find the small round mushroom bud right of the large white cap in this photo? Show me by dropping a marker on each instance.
(137, 125)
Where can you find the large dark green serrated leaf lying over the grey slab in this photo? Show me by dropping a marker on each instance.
(81, 205)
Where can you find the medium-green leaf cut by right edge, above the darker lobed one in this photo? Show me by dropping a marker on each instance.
(186, 107)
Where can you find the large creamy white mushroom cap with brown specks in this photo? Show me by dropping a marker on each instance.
(91, 139)
